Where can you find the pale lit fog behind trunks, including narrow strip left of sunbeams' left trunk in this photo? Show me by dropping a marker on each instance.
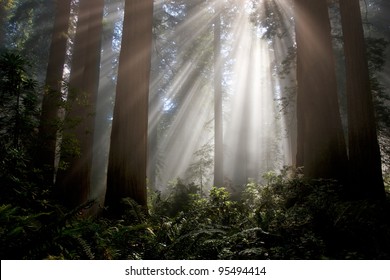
(256, 127)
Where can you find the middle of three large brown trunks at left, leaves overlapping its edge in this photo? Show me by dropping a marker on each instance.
(75, 180)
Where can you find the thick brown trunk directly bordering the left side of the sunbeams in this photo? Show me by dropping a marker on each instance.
(128, 149)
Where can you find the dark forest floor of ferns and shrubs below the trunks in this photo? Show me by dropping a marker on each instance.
(283, 218)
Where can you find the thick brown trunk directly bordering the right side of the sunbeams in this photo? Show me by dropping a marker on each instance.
(321, 141)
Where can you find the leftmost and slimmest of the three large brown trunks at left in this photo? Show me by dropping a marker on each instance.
(52, 96)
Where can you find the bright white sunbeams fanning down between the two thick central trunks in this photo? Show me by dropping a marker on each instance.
(254, 130)
